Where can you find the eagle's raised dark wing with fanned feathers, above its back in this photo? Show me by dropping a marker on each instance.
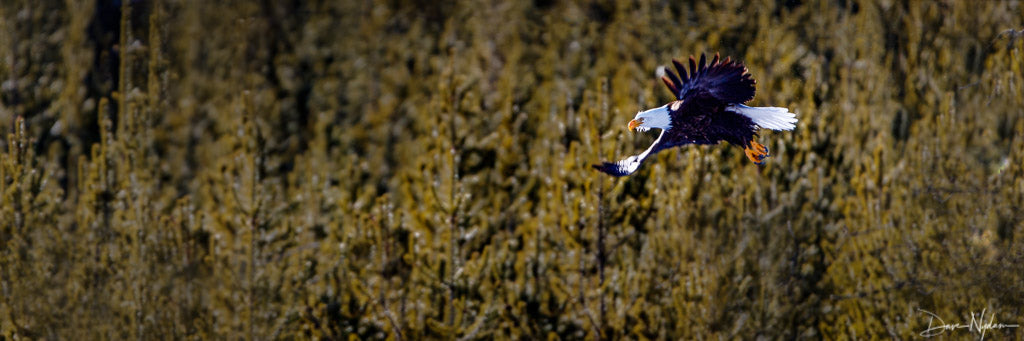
(728, 81)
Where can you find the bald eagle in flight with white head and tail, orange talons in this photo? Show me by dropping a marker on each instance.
(709, 109)
